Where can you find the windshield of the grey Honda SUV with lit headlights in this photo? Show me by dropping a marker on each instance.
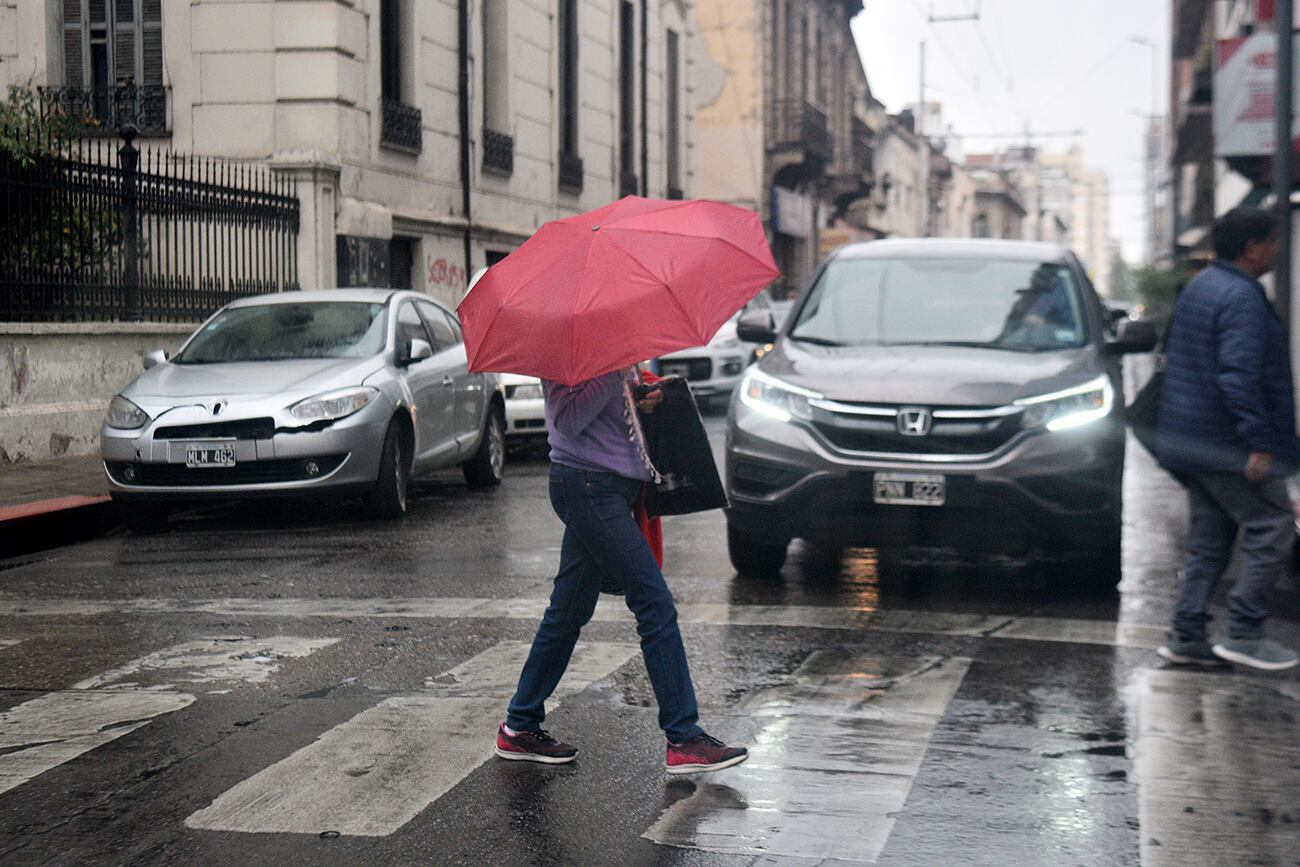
(991, 304)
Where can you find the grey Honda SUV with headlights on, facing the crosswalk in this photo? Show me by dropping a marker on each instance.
(956, 392)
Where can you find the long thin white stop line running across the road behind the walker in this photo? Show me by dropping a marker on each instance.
(1056, 630)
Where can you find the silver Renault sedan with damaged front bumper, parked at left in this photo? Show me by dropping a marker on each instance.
(339, 392)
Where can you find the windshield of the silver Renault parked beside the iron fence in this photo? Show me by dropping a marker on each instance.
(285, 332)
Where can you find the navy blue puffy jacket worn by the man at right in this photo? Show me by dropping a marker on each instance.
(1228, 385)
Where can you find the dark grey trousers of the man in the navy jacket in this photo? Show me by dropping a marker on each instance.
(1223, 505)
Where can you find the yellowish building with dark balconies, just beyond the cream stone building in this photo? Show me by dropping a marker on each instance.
(778, 127)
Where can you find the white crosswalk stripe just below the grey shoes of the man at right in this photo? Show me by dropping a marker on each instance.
(1216, 768)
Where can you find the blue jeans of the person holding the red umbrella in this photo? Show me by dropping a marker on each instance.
(601, 537)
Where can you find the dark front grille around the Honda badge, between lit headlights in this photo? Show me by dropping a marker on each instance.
(973, 436)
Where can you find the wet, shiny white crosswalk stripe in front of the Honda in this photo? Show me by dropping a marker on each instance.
(833, 766)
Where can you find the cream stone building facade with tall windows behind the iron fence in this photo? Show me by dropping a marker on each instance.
(428, 137)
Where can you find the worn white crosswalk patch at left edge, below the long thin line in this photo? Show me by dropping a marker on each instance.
(55, 729)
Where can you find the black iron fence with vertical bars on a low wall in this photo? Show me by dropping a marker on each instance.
(94, 231)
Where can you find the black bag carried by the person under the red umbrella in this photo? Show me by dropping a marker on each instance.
(679, 449)
